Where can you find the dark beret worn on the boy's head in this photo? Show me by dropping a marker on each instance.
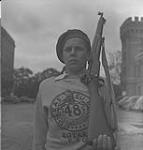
(75, 33)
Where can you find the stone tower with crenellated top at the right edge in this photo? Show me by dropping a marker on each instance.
(131, 34)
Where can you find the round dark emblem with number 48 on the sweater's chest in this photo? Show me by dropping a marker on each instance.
(70, 110)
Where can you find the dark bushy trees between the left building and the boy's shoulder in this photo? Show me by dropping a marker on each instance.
(26, 83)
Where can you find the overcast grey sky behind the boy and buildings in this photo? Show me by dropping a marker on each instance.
(35, 25)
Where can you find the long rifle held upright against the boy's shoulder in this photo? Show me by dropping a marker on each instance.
(98, 120)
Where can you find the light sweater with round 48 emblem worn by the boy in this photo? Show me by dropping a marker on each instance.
(61, 114)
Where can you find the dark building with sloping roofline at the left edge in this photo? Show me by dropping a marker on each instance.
(7, 62)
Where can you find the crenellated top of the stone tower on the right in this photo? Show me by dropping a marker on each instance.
(131, 26)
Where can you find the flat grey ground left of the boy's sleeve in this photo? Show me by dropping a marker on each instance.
(17, 126)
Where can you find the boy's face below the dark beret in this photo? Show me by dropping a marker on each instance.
(75, 54)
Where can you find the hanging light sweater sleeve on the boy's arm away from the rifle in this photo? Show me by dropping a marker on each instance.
(40, 126)
